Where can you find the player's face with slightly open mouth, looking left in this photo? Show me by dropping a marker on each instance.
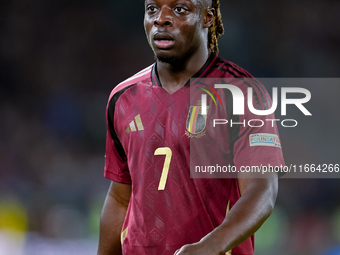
(174, 28)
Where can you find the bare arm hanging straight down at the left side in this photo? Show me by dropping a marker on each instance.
(112, 218)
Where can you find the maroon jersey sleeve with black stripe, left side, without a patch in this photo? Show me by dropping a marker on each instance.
(116, 167)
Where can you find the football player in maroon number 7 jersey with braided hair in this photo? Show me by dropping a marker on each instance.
(153, 207)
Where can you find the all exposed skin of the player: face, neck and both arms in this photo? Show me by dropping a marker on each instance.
(177, 33)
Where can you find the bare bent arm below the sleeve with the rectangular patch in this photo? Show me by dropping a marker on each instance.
(258, 196)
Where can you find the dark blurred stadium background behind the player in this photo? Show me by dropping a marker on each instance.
(59, 61)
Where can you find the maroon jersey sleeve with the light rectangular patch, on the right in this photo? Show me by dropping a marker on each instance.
(255, 139)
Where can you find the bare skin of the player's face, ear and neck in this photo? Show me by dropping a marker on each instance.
(186, 23)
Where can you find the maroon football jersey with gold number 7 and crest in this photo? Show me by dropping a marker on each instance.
(149, 134)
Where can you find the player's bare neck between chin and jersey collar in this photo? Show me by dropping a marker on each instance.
(173, 77)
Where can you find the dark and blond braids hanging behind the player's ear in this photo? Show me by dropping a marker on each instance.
(216, 30)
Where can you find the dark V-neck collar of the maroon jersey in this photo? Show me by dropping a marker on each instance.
(202, 73)
